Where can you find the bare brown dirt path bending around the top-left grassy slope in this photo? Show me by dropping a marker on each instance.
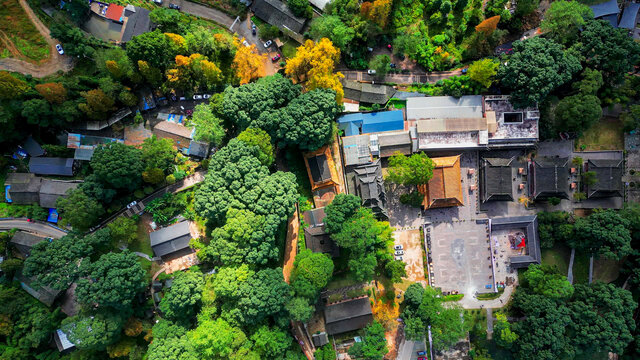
(55, 63)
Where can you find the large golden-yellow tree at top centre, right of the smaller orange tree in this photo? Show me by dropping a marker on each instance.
(314, 65)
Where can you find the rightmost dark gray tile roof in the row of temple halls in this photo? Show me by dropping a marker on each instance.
(609, 178)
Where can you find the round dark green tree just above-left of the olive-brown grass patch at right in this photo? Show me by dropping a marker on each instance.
(577, 113)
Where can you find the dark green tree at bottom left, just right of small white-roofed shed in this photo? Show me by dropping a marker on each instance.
(93, 332)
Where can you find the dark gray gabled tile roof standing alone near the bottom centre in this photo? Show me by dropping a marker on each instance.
(348, 316)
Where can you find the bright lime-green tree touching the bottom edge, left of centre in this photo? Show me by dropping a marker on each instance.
(216, 339)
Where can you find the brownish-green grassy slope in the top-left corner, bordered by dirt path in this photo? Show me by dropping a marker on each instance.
(24, 40)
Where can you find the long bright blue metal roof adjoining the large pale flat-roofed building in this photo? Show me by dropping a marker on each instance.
(353, 124)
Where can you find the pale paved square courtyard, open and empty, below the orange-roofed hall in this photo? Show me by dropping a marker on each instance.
(461, 257)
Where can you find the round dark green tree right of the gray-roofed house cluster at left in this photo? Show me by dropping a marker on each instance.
(118, 165)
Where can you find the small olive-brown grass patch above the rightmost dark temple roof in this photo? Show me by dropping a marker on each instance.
(606, 134)
